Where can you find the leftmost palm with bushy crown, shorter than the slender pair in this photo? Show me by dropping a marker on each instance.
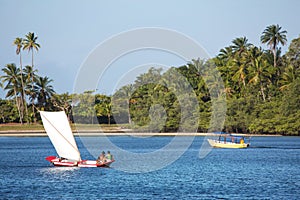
(12, 79)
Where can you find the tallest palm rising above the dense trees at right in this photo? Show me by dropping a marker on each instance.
(273, 36)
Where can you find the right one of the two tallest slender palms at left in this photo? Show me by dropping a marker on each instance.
(30, 44)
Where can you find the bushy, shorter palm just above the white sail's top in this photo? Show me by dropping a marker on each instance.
(44, 90)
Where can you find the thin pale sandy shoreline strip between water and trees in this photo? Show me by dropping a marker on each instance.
(95, 133)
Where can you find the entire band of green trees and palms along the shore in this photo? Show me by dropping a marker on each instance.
(261, 86)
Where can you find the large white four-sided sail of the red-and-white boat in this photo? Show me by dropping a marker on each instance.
(59, 131)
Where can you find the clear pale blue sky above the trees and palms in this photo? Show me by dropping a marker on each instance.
(69, 30)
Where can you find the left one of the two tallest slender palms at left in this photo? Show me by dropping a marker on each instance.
(19, 44)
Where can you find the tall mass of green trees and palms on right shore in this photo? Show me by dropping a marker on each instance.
(261, 87)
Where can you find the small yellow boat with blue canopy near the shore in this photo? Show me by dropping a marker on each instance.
(229, 141)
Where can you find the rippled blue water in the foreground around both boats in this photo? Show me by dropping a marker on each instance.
(270, 169)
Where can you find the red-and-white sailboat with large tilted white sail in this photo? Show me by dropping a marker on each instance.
(59, 131)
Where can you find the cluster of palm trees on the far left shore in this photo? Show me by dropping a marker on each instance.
(23, 84)
